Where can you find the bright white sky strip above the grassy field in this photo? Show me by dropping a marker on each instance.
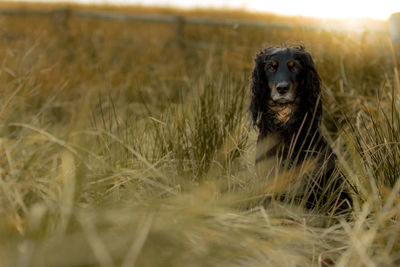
(378, 9)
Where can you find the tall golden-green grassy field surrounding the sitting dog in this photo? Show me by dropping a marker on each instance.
(119, 148)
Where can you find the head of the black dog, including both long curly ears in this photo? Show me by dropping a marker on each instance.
(284, 76)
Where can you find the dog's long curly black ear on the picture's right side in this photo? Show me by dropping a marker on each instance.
(311, 84)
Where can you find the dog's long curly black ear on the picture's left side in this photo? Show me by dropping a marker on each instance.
(258, 86)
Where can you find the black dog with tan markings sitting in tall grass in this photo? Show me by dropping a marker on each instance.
(286, 106)
